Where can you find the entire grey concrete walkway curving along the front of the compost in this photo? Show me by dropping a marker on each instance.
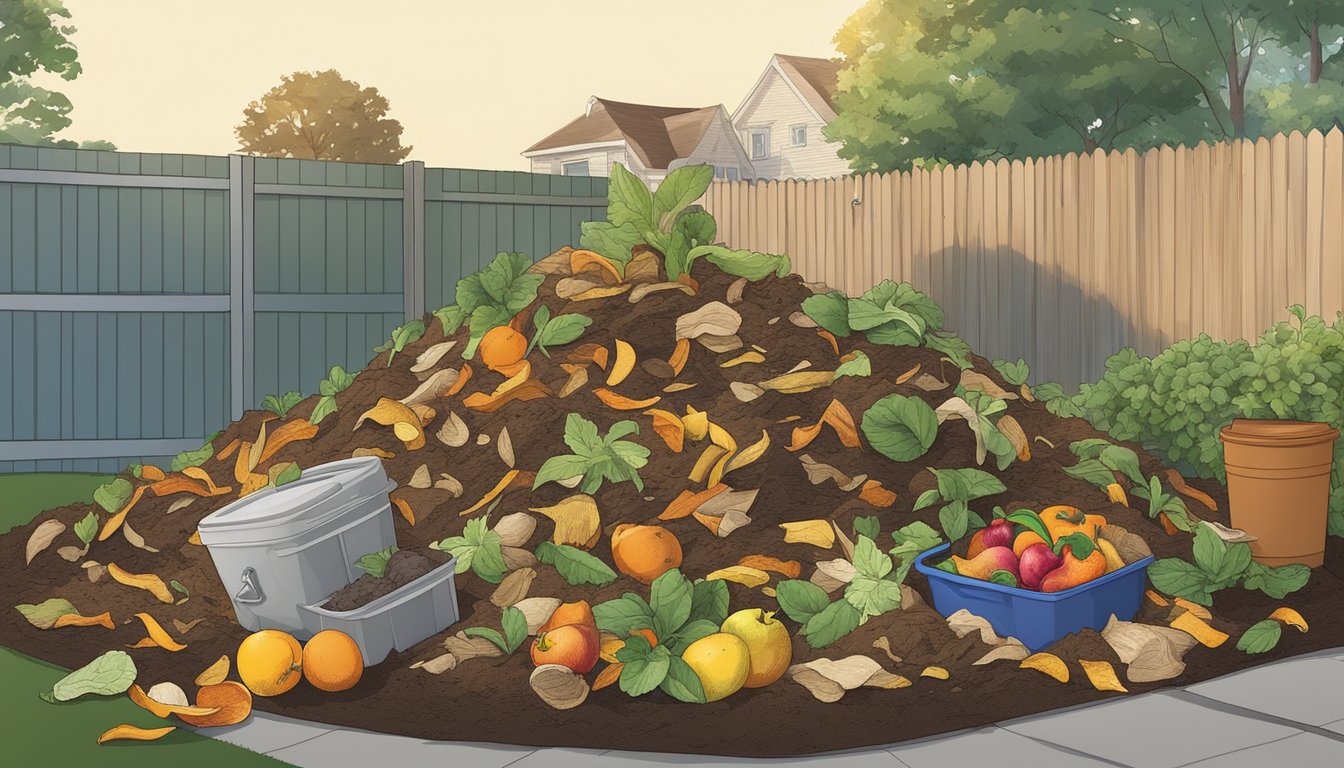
(1288, 714)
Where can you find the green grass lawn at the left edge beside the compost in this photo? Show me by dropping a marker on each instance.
(41, 734)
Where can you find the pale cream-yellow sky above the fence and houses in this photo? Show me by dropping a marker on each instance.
(472, 83)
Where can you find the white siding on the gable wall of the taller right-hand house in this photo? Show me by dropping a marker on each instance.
(778, 107)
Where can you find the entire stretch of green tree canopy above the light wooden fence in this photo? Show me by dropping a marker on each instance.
(937, 81)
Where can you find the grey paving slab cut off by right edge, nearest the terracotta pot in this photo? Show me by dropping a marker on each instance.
(1303, 691)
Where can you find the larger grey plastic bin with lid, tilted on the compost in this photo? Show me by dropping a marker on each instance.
(280, 549)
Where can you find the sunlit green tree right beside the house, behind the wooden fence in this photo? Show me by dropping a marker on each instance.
(928, 80)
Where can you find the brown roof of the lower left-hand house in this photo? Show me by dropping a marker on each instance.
(658, 135)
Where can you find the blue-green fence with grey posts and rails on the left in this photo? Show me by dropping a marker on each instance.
(123, 278)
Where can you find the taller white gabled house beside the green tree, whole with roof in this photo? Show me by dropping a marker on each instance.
(782, 119)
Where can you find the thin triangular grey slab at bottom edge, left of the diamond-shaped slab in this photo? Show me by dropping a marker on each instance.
(989, 747)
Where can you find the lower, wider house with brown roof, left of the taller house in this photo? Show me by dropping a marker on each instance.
(648, 141)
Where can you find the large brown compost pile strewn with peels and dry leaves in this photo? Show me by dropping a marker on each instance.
(763, 466)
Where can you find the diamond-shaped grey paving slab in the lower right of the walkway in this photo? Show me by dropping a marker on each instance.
(1154, 731)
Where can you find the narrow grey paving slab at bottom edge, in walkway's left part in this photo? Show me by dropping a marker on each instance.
(369, 748)
